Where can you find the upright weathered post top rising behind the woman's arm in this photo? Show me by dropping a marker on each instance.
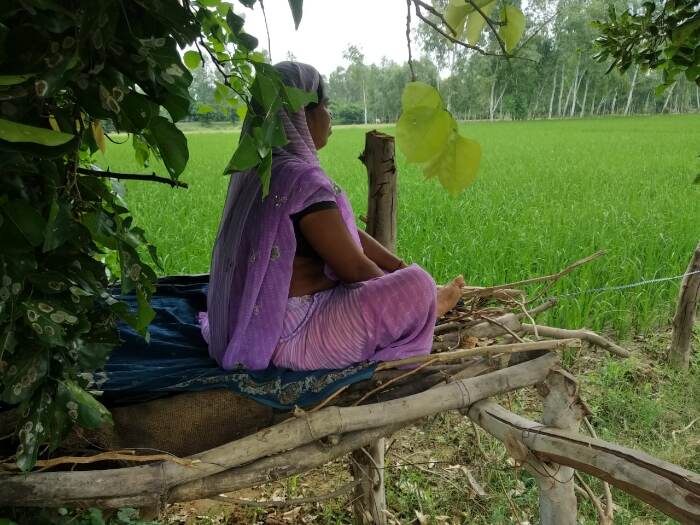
(378, 158)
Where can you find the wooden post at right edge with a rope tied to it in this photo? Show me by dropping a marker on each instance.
(679, 353)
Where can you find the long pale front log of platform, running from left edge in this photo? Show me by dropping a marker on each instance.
(144, 485)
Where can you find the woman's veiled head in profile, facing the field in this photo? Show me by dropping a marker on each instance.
(317, 116)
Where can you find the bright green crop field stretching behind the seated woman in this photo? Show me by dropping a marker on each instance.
(548, 193)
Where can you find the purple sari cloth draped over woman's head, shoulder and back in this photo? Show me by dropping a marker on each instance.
(254, 251)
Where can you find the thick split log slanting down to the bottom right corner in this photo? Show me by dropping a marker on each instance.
(671, 489)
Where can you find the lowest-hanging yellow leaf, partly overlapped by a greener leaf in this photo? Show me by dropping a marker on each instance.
(457, 165)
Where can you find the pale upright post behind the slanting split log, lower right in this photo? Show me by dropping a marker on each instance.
(562, 410)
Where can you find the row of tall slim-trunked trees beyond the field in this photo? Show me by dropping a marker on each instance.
(556, 75)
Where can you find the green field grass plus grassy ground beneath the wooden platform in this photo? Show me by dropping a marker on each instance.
(548, 193)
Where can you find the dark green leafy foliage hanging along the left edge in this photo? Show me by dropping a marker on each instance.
(68, 71)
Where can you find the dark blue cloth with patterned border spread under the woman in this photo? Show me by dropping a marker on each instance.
(176, 358)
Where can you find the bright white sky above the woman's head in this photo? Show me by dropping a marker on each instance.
(377, 27)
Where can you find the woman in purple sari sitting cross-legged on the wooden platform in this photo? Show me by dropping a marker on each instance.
(294, 283)
